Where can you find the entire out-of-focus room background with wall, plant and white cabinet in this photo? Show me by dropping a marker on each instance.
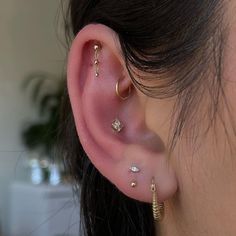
(35, 192)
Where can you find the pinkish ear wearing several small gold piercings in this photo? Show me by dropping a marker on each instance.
(95, 106)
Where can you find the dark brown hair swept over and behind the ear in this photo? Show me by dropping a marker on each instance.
(174, 43)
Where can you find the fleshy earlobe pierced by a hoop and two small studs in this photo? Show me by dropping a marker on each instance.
(152, 164)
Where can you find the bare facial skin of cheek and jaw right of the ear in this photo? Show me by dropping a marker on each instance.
(205, 202)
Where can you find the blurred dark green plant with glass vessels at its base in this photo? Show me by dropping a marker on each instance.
(41, 136)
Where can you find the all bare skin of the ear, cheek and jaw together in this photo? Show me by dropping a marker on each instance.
(197, 185)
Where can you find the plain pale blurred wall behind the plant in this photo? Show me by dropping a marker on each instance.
(28, 43)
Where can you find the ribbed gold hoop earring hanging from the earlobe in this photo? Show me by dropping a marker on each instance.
(157, 208)
